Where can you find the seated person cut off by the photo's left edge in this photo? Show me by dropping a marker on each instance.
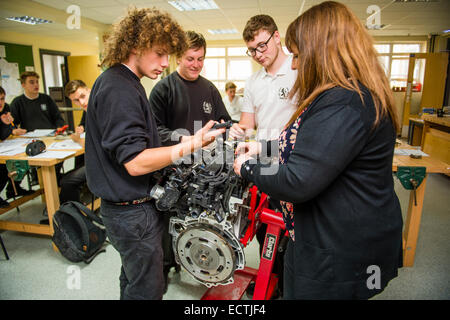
(6, 129)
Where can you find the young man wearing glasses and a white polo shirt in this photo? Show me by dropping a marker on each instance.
(266, 104)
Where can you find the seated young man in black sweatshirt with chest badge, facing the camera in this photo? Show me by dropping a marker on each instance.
(33, 110)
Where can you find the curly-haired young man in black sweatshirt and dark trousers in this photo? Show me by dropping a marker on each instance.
(123, 148)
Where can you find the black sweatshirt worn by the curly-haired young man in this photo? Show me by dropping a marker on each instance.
(119, 126)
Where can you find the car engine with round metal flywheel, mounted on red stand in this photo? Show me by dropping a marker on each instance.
(210, 206)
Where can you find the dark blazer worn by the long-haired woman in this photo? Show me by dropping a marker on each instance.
(347, 217)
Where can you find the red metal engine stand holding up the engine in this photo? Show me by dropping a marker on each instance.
(265, 280)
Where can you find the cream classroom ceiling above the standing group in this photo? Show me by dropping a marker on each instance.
(404, 18)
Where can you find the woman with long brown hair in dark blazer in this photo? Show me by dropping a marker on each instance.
(334, 177)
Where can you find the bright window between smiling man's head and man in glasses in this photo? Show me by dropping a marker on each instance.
(227, 64)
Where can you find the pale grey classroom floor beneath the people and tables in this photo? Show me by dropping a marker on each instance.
(35, 271)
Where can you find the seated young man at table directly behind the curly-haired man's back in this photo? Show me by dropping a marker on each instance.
(73, 181)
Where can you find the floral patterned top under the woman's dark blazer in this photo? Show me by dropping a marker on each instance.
(286, 143)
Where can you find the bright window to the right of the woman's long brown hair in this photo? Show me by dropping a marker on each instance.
(394, 57)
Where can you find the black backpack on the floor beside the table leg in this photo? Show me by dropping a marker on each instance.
(79, 234)
